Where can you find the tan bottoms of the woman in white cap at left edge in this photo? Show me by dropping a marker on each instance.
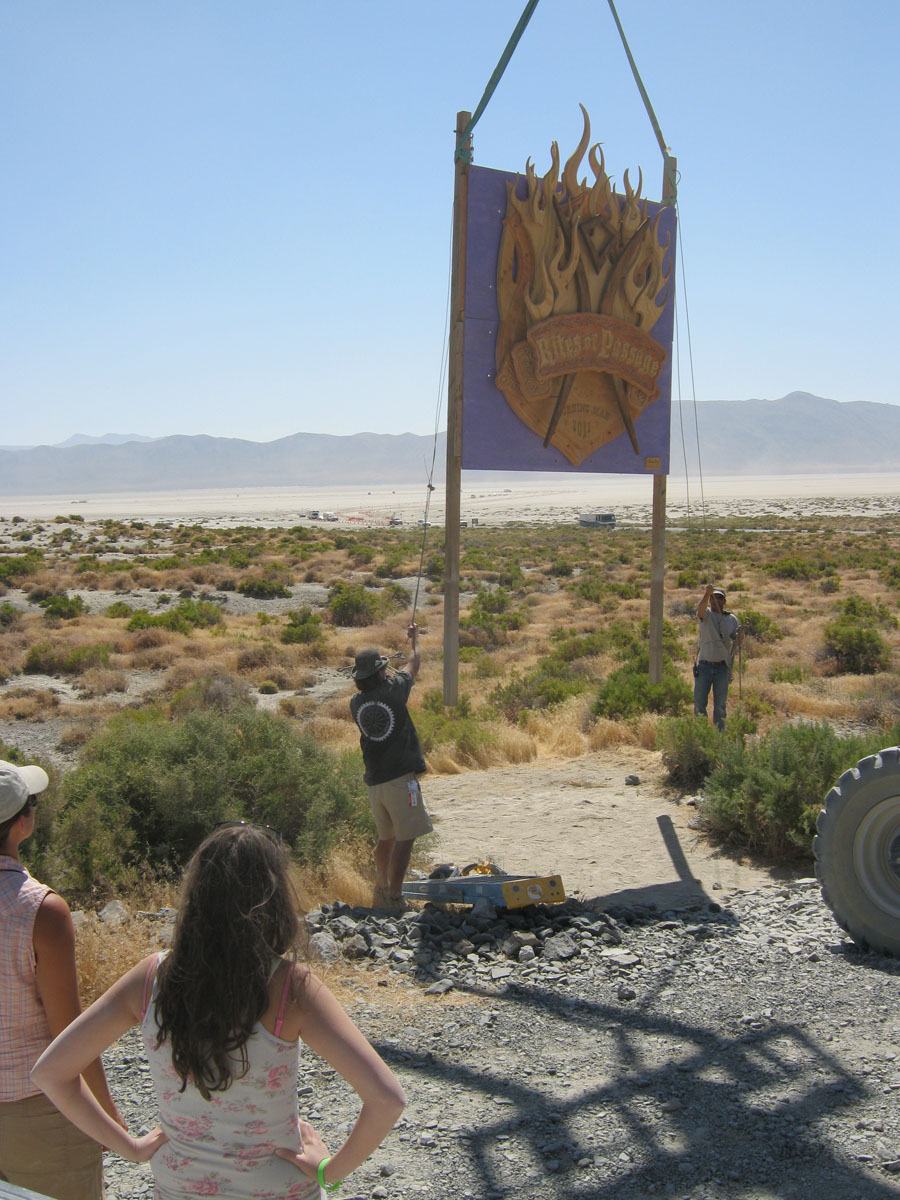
(43, 1151)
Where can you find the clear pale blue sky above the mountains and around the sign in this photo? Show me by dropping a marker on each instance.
(233, 218)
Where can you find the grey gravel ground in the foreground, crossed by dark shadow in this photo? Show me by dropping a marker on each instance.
(746, 1053)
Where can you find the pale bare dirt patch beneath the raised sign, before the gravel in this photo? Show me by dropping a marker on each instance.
(580, 820)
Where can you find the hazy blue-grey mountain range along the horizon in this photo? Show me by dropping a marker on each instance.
(799, 434)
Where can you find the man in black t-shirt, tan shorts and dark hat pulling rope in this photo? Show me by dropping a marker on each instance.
(393, 758)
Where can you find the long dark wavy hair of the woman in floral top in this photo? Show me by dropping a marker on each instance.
(239, 911)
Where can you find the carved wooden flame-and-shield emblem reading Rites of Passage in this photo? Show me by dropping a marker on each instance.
(580, 286)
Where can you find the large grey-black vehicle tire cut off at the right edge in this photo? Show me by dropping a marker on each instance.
(857, 851)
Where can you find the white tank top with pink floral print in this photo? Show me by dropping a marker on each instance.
(226, 1147)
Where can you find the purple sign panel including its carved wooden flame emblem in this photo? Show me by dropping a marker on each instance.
(569, 315)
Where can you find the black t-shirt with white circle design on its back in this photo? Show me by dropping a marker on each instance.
(388, 739)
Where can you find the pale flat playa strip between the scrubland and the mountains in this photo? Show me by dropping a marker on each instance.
(538, 500)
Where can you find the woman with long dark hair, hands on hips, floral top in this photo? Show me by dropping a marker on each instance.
(223, 1017)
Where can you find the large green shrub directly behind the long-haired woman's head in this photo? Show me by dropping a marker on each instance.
(153, 784)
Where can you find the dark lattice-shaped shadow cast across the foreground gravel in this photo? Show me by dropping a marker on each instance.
(664, 1107)
